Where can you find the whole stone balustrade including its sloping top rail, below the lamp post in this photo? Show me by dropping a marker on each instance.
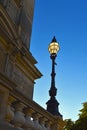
(24, 116)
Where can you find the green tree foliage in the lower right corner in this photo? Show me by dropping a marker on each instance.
(81, 123)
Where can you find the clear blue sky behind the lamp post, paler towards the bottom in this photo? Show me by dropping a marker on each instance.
(67, 20)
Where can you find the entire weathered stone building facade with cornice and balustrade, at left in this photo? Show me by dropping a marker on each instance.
(18, 71)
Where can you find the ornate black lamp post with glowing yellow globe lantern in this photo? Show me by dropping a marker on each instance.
(52, 104)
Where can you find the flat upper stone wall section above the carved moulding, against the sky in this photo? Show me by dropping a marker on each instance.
(21, 13)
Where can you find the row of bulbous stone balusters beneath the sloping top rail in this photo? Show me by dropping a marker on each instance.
(23, 117)
